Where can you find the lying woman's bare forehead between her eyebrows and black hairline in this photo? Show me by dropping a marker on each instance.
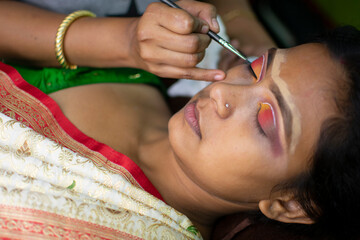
(310, 74)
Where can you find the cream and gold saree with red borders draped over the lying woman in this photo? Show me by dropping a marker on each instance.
(56, 182)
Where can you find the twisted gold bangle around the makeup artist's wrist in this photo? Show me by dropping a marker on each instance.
(60, 35)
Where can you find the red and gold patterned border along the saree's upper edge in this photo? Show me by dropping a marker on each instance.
(29, 105)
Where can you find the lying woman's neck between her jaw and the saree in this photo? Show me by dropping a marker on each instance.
(159, 164)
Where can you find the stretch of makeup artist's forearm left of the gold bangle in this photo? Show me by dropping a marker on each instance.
(28, 33)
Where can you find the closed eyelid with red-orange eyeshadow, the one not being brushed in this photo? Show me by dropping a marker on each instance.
(265, 119)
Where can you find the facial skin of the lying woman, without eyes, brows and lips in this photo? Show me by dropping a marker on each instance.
(251, 167)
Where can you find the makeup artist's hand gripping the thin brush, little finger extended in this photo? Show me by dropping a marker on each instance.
(170, 42)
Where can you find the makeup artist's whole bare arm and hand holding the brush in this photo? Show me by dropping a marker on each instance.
(164, 41)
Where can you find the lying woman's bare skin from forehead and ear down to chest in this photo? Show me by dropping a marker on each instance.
(232, 167)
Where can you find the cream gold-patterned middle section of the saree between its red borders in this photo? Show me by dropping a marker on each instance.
(39, 174)
